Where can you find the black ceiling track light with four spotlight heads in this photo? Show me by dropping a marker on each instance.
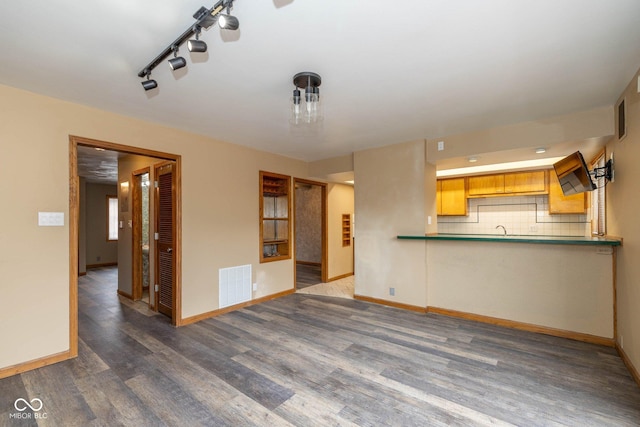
(205, 18)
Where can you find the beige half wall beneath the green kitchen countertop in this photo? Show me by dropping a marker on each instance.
(566, 287)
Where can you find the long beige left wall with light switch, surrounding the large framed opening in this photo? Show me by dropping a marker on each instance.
(215, 233)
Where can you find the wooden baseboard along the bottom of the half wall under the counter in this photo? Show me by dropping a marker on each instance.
(577, 336)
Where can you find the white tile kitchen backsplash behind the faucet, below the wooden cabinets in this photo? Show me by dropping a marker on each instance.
(524, 215)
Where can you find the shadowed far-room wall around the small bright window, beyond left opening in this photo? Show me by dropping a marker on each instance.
(98, 249)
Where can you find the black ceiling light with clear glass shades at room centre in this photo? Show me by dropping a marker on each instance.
(307, 110)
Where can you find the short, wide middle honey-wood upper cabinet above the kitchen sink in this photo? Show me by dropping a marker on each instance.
(508, 184)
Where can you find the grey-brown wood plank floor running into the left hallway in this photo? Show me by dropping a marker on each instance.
(318, 361)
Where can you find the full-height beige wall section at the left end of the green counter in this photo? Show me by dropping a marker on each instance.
(390, 200)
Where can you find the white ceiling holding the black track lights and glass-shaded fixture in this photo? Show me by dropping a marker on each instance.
(391, 71)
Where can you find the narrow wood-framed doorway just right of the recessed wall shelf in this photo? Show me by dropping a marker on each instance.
(310, 224)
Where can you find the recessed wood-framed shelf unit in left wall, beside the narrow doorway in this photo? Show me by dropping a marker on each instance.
(275, 211)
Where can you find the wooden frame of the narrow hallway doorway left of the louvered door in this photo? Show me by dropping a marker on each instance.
(136, 235)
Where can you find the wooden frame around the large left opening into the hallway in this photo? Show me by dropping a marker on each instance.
(74, 212)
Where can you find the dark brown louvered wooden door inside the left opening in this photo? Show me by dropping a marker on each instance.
(165, 229)
